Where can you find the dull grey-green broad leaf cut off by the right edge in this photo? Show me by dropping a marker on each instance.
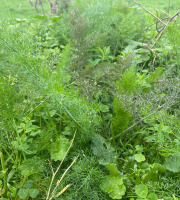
(173, 162)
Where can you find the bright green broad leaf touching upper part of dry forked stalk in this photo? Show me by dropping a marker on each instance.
(59, 148)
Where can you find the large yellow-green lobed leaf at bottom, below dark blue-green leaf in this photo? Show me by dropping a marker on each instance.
(113, 185)
